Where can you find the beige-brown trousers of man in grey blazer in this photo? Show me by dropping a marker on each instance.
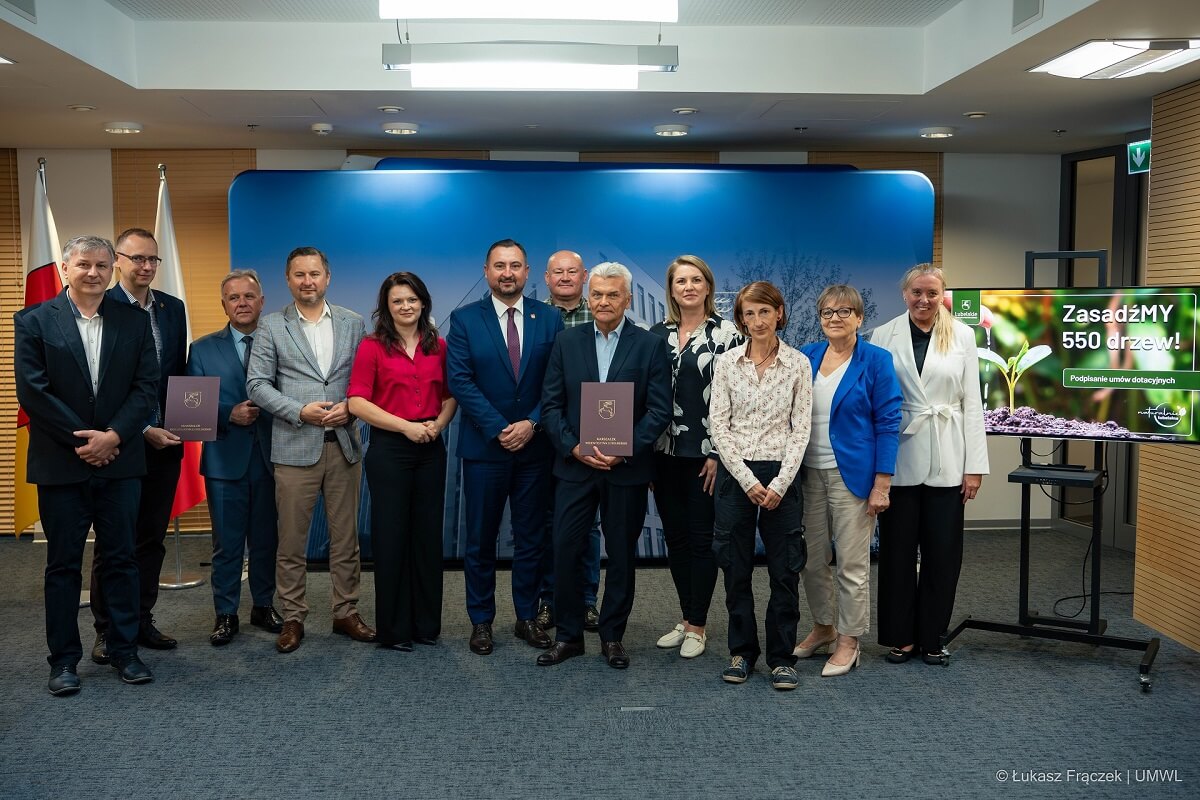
(296, 495)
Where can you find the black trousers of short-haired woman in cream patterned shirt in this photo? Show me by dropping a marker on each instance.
(783, 538)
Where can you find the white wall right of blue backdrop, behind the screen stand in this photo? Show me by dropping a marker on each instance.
(998, 207)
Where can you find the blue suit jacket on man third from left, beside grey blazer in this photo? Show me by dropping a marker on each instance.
(229, 458)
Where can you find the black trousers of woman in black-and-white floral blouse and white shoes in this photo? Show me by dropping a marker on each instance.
(688, 515)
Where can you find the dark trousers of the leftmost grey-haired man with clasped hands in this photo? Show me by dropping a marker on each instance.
(68, 513)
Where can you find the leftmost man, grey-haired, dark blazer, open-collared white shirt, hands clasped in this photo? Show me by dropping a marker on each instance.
(87, 377)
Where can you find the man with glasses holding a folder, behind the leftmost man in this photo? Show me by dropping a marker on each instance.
(137, 264)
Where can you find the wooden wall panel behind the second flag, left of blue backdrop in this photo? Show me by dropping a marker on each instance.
(200, 188)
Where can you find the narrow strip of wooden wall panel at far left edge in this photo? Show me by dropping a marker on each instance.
(13, 299)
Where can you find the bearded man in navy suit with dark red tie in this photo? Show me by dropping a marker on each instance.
(496, 359)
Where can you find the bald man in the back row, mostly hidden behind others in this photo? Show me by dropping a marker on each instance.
(566, 279)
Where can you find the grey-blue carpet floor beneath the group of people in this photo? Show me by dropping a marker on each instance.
(345, 720)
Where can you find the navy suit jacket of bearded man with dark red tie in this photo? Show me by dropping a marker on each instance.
(481, 376)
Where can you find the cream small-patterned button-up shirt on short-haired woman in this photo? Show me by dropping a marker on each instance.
(761, 419)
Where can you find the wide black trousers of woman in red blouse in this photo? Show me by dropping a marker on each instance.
(407, 483)
